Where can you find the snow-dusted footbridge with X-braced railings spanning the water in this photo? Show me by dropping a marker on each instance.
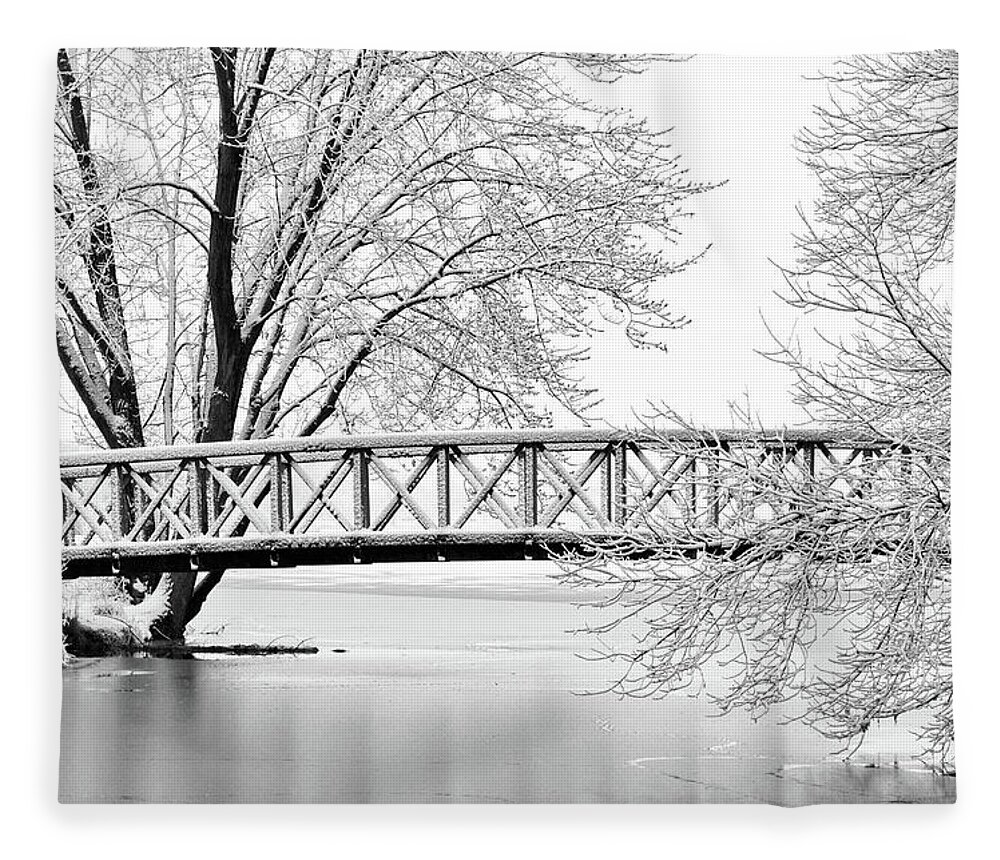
(413, 497)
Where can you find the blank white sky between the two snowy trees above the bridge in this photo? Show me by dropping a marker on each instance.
(734, 118)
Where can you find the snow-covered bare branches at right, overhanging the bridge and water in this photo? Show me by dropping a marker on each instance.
(829, 583)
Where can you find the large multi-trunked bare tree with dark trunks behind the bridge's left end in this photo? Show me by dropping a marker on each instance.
(263, 242)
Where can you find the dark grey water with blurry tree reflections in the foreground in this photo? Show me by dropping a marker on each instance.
(285, 730)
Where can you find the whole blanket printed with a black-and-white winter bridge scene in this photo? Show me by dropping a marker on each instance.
(486, 427)
